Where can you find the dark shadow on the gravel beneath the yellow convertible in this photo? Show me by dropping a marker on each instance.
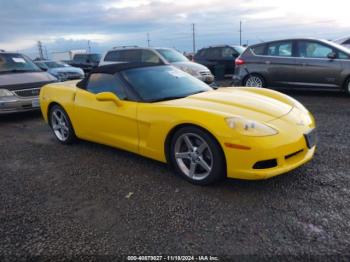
(144, 168)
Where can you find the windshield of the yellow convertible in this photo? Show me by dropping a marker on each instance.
(159, 83)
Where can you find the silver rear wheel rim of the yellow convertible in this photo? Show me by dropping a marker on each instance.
(59, 124)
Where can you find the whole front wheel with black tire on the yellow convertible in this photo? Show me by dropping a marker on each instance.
(211, 157)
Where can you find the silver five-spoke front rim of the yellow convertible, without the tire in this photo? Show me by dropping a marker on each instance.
(193, 156)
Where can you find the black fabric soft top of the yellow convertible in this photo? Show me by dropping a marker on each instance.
(114, 68)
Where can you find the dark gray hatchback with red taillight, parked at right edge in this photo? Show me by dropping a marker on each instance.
(297, 63)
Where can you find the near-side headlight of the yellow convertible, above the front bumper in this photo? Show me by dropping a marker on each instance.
(250, 127)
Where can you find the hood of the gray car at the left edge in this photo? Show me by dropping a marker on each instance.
(16, 81)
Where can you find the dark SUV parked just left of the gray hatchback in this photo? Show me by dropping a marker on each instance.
(219, 57)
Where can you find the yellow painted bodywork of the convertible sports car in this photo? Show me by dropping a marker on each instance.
(143, 128)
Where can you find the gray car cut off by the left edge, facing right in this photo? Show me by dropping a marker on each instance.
(20, 83)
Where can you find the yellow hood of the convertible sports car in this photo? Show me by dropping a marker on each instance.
(235, 102)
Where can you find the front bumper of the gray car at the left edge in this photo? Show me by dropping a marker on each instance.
(15, 104)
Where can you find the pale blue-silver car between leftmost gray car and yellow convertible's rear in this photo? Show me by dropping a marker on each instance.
(61, 71)
